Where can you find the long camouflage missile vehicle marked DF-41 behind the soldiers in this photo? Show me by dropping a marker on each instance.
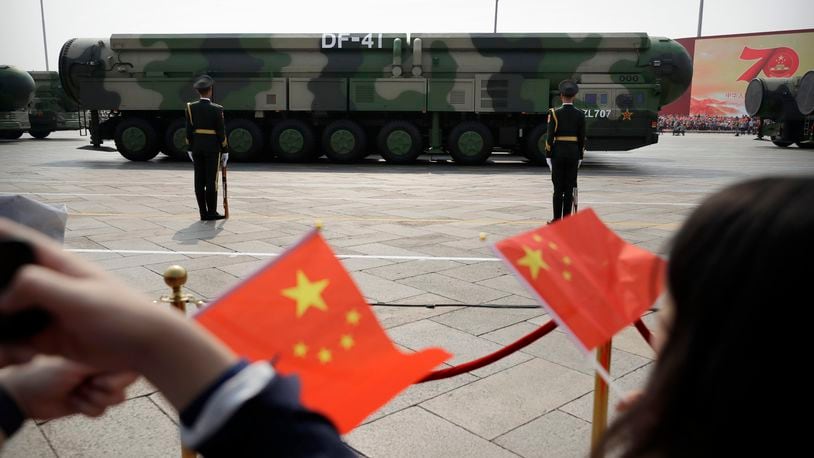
(347, 95)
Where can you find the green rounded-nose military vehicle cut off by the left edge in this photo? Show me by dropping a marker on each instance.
(16, 92)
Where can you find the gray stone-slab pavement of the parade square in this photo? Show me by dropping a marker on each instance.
(410, 237)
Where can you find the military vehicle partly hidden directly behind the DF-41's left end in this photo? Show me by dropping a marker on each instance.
(51, 109)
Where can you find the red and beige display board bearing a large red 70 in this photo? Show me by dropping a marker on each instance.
(723, 66)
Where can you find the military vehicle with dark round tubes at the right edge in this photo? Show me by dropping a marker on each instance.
(788, 103)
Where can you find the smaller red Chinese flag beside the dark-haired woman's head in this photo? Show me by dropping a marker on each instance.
(591, 281)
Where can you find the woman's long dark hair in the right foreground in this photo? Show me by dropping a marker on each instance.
(740, 276)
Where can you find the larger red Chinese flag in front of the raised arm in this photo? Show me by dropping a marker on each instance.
(304, 311)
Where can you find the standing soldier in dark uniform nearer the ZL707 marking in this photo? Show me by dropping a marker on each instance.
(565, 144)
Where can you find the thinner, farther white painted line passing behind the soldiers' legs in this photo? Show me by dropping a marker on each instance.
(354, 199)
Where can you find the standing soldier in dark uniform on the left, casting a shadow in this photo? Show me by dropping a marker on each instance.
(208, 148)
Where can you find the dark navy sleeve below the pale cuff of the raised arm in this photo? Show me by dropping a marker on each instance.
(274, 423)
